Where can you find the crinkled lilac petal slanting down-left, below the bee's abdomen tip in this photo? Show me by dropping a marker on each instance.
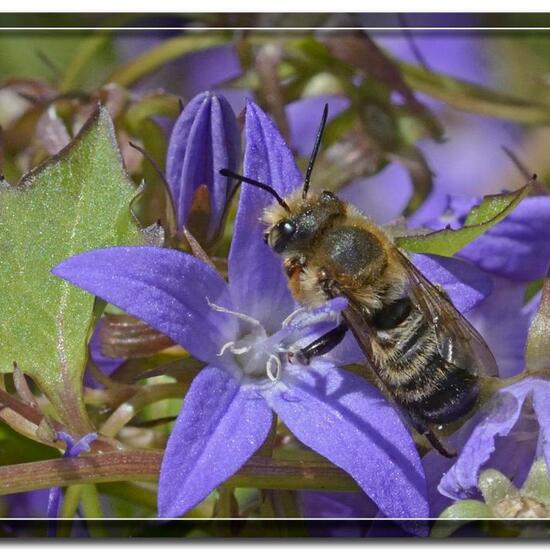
(461, 480)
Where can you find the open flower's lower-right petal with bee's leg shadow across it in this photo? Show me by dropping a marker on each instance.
(346, 420)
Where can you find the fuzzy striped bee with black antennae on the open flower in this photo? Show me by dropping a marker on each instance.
(426, 357)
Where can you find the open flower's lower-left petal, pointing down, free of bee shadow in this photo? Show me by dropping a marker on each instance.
(218, 429)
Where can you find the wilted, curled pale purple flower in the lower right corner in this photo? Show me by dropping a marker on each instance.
(504, 412)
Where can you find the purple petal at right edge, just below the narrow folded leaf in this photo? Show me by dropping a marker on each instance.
(519, 246)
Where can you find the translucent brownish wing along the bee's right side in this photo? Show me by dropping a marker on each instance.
(447, 320)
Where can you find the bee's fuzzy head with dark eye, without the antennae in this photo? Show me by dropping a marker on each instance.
(295, 229)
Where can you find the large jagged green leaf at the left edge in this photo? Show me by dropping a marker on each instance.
(78, 200)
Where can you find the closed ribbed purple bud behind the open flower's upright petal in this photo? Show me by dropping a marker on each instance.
(205, 138)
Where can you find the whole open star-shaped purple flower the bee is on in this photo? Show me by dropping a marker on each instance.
(243, 331)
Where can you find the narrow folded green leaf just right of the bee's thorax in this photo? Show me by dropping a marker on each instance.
(447, 242)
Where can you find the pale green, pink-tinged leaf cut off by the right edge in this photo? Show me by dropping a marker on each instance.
(537, 351)
